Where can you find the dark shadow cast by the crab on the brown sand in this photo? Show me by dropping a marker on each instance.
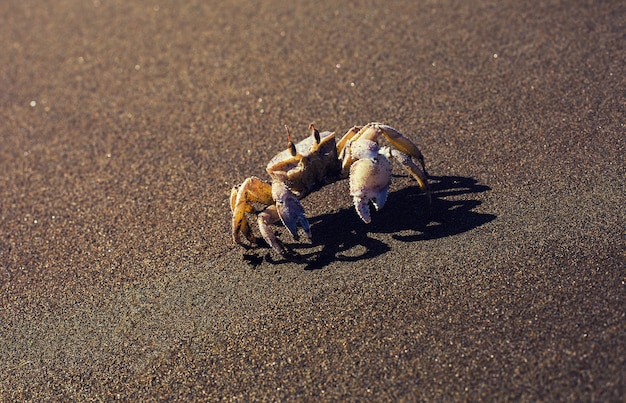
(407, 215)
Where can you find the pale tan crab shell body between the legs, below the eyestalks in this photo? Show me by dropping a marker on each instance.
(312, 165)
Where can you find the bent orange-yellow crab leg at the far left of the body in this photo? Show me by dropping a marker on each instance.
(250, 191)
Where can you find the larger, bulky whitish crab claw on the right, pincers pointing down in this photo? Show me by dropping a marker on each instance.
(369, 181)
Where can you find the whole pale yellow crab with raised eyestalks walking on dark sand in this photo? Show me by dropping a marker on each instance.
(314, 162)
